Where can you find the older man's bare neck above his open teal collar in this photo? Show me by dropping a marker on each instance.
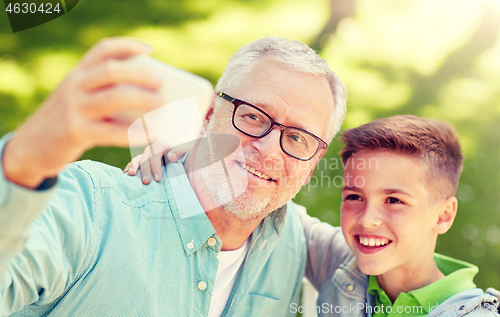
(232, 231)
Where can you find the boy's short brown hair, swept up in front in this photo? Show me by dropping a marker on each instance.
(435, 143)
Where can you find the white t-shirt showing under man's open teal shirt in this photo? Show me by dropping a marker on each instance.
(229, 264)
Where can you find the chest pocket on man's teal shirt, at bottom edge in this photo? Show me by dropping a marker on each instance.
(261, 305)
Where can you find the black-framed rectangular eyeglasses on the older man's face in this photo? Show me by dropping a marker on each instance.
(252, 121)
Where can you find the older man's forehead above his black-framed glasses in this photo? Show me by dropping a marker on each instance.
(291, 97)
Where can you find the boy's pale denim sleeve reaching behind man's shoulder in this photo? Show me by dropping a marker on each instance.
(326, 248)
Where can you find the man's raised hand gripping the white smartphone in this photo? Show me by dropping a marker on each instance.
(78, 115)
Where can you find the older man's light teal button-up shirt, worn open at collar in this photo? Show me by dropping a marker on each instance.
(102, 244)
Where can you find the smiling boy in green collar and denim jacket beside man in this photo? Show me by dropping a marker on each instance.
(400, 177)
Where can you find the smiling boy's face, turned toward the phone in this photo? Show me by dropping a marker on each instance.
(386, 216)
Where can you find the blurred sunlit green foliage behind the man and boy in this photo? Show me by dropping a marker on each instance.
(438, 59)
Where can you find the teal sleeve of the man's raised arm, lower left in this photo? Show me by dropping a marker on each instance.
(44, 238)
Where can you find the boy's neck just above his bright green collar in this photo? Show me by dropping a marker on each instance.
(405, 280)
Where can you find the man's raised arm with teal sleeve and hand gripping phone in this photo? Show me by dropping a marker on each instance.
(37, 264)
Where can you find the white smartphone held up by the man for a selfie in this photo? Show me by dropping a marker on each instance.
(186, 100)
